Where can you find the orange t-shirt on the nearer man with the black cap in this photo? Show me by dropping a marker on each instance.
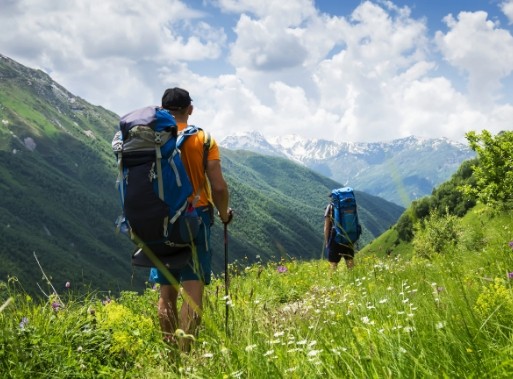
(192, 158)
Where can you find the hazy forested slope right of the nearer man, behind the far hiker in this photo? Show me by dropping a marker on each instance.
(275, 199)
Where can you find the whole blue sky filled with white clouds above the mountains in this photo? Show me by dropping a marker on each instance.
(360, 71)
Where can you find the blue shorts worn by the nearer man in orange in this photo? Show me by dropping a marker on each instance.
(201, 266)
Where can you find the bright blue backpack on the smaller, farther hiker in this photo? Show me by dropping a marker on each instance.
(346, 228)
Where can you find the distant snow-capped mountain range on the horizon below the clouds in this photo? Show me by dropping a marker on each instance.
(399, 171)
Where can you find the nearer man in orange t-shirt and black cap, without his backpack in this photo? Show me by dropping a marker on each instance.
(209, 184)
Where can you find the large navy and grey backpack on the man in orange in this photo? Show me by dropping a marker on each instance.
(154, 187)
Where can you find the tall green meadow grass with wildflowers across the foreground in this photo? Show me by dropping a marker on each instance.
(396, 316)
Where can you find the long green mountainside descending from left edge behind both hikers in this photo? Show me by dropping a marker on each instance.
(59, 202)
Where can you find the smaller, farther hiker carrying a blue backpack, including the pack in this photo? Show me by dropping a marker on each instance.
(341, 227)
